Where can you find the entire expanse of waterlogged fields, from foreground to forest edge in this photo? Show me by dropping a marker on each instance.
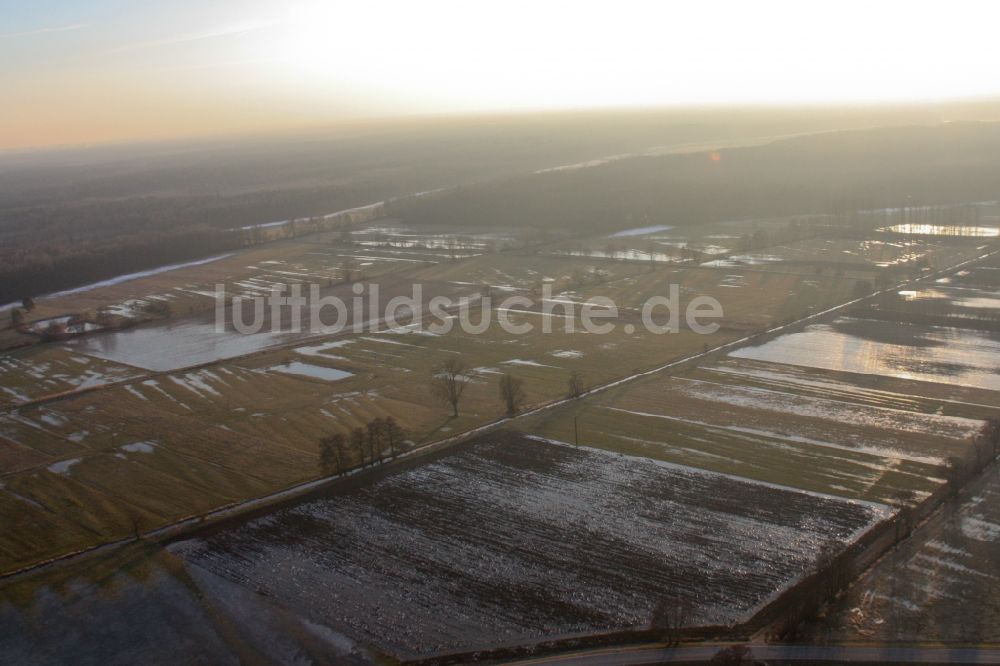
(721, 480)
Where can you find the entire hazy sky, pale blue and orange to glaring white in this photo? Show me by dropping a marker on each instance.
(95, 70)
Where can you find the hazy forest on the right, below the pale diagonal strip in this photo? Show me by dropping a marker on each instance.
(833, 172)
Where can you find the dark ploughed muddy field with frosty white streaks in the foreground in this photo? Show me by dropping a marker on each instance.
(510, 540)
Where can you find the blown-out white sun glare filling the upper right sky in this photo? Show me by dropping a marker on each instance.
(471, 54)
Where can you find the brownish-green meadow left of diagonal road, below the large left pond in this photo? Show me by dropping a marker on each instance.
(243, 428)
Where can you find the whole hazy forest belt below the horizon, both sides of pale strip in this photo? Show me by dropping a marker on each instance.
(73, 218)
